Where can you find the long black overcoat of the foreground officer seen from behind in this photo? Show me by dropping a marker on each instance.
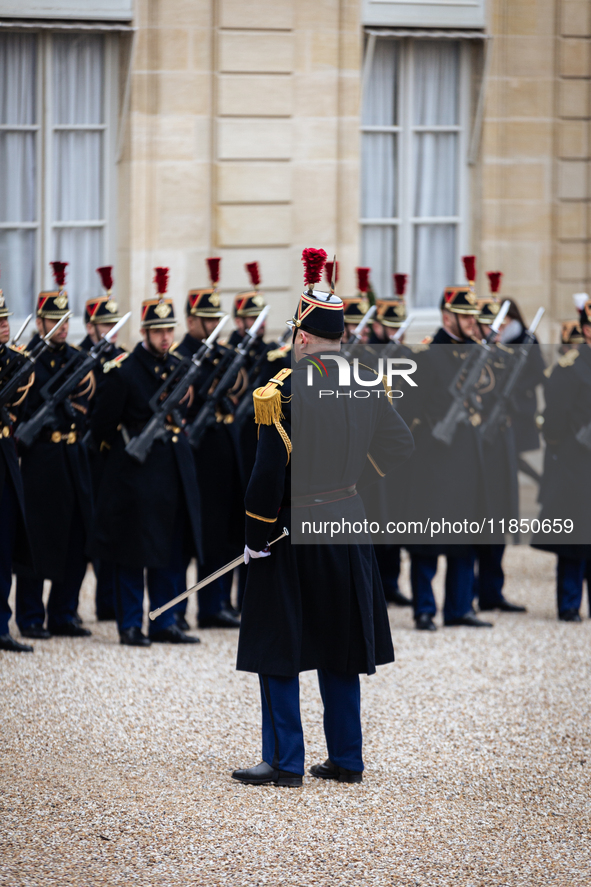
(317, 605)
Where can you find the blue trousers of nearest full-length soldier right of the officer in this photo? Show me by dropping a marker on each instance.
(459, 585)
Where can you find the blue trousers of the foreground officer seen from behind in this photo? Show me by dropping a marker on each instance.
(283, 738)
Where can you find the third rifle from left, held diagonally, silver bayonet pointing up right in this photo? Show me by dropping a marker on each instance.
(155, 428)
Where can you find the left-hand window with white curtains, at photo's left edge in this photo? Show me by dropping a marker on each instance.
(56, 166)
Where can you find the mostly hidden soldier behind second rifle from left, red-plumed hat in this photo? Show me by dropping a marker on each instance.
(101, 314)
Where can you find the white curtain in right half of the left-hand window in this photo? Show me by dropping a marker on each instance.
(77, 186)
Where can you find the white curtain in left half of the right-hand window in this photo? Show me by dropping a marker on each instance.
(379, 164)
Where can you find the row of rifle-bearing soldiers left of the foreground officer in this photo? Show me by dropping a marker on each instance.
(78, 494)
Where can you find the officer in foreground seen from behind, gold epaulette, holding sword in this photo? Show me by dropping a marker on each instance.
(314, 606)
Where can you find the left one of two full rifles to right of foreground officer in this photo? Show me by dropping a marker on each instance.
(471, 370)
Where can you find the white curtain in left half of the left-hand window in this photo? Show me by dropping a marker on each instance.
(18, 106)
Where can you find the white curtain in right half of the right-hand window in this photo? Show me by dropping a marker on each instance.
(436, 103)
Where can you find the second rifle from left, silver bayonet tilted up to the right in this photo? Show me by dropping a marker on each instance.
(69, 377)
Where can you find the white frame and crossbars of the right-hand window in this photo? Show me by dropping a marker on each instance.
(405, 222)
